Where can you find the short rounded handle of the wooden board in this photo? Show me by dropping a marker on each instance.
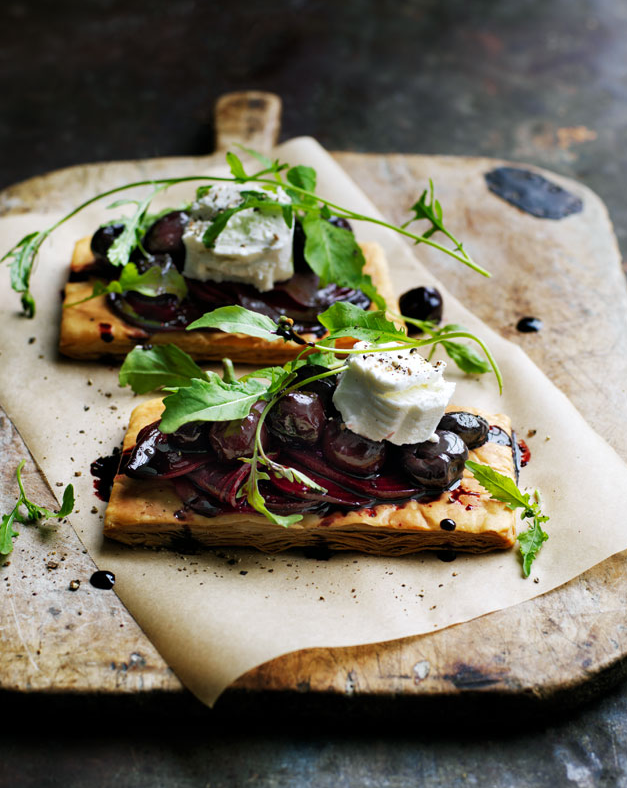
(251, 118)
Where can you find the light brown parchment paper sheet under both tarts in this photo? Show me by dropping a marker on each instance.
(215, 615)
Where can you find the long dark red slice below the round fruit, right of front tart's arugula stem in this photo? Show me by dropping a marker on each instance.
(384, 486)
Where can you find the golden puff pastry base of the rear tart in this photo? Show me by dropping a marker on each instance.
(81, 337)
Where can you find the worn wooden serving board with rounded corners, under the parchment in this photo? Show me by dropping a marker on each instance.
(561, 645)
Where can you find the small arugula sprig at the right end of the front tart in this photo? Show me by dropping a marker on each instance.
(502, 488)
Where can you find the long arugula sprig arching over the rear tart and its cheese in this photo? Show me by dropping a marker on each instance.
(331, 251)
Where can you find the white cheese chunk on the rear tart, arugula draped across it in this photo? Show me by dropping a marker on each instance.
(254, 247)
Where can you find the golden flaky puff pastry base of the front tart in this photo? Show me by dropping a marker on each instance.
(149, 512)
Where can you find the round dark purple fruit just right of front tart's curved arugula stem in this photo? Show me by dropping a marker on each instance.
(298, 418)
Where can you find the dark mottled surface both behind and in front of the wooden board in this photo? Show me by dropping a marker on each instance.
(541, 81)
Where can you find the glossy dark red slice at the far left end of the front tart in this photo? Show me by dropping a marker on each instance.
(152, 457)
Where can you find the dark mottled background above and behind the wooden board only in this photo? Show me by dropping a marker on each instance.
(543, 81)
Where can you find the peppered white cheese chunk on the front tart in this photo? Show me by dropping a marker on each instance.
(392, 395)
